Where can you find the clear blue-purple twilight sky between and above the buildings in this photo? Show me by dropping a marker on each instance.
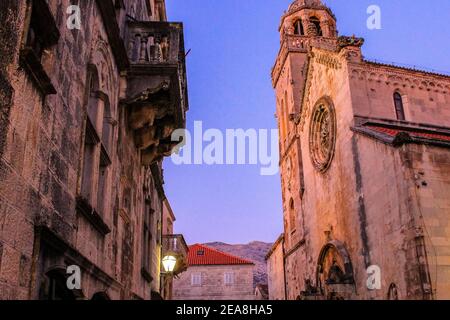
(234, 44)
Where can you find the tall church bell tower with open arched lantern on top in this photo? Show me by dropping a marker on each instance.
(306, 23)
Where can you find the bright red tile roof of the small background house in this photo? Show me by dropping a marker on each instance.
(202, 255)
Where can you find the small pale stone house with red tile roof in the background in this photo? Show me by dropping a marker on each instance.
(215, 275)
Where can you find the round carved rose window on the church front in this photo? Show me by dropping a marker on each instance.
(322, 135)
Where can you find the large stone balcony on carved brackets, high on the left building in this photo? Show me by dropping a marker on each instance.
(156, 95)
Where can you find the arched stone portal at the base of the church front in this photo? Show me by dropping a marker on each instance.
(334, 275)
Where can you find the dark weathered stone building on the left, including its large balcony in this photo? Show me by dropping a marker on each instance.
(86, 119)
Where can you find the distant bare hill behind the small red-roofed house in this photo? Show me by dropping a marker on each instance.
(255, 251)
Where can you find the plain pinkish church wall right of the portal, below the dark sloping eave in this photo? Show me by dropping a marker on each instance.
(390, 222)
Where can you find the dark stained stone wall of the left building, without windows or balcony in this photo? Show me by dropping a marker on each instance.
(41, 162)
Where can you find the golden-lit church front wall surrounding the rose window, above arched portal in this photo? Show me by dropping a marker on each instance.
(330, 200)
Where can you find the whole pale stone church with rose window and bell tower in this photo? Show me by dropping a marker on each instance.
(365, 167)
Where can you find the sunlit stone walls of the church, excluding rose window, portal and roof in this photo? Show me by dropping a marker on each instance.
(347, 203)
